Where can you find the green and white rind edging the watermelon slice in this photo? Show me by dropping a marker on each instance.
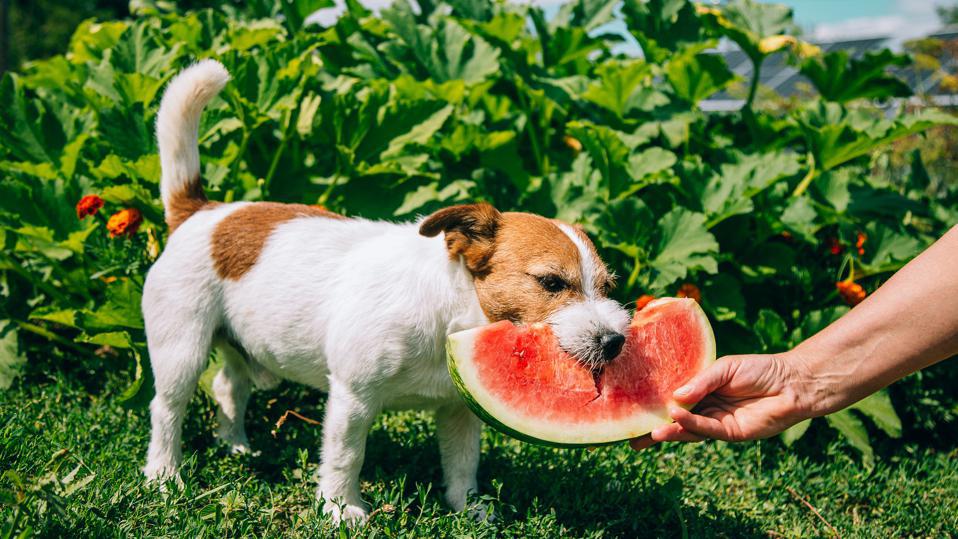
(453, 366)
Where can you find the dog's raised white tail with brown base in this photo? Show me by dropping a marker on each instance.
(177, 126)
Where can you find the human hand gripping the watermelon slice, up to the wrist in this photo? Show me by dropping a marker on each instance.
(739, 398)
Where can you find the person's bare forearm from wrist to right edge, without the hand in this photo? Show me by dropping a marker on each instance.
(909, 323)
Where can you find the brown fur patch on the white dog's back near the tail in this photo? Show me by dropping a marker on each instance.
(239, 238)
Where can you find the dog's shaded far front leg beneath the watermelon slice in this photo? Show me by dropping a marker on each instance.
(459, 435)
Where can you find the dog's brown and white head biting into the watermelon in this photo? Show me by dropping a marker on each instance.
(529, 269)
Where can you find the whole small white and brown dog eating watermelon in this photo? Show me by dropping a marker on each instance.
(356, 308)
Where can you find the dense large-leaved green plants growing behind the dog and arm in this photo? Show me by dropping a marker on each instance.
(393, 116)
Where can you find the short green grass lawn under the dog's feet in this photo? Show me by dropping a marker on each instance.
(55, 426)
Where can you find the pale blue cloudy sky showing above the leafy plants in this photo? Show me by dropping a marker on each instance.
(822, 20)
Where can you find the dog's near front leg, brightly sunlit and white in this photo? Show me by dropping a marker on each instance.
(348, 418)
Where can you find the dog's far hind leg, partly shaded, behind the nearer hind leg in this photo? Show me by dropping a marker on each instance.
(231, 389)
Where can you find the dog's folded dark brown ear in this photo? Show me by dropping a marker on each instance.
(470, 232)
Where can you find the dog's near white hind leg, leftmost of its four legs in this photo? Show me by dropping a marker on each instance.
(179, 343)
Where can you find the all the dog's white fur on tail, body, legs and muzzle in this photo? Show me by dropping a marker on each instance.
(356, 308)
